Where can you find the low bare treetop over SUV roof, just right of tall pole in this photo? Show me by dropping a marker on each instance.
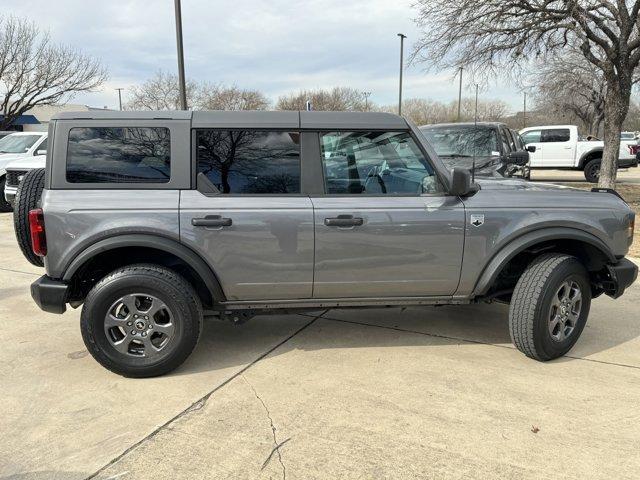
(218, 97)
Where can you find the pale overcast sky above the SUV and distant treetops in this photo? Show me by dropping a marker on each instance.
(275, 46)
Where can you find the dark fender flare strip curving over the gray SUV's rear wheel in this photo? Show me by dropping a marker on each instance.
(168, 245)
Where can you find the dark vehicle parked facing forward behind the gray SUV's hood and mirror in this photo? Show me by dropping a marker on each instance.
(489, 148)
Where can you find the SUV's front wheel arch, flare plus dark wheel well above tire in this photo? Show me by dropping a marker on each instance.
(591, 250)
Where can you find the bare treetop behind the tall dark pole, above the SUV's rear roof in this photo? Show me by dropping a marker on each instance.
(161, 92)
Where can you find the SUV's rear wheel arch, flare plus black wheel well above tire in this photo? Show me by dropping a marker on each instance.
(136, 248)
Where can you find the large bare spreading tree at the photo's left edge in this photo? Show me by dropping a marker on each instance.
(34, 71)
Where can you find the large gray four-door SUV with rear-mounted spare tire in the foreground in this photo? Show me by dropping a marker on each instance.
(152, 220)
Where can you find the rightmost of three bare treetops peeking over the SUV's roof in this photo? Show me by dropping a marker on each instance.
(336, 99)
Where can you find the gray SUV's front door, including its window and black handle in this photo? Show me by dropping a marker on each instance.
(384, 228)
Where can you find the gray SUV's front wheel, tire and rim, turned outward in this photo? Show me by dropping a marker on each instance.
(536, 300)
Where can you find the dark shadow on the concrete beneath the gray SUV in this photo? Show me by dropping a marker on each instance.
(224, 345)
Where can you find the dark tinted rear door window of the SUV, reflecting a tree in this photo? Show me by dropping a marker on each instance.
(247, 161)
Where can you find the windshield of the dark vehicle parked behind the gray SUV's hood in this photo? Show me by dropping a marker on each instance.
(463, 141)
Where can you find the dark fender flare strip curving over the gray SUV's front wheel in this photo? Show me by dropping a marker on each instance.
(519, 244)
